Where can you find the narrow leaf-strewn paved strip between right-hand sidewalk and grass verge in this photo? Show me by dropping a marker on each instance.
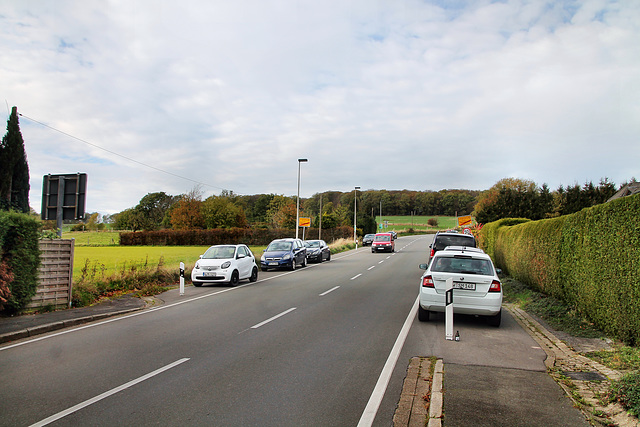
(562, 360)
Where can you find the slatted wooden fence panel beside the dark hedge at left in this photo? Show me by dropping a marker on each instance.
(55, 273)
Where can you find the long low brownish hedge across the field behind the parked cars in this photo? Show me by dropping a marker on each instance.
(248, 236)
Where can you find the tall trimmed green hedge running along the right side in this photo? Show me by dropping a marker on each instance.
(590, 259)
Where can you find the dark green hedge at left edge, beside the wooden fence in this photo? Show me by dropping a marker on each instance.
(20, 252)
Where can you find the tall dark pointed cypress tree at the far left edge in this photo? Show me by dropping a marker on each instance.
(14, 169)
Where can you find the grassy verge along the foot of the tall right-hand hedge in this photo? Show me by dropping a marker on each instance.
(564, 318)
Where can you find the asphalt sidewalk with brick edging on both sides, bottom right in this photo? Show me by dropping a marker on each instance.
(570, 393)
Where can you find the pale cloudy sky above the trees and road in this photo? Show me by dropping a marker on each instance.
(148, 96)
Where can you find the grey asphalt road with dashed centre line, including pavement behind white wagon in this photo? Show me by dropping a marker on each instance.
(295, 348)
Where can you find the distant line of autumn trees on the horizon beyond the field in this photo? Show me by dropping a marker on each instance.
(330, 209)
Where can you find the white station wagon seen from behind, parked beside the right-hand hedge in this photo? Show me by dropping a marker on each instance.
(476, 287)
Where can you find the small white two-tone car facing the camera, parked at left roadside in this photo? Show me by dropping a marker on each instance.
(225, 264)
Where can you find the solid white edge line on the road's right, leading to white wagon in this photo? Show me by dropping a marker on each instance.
(375, 400)
